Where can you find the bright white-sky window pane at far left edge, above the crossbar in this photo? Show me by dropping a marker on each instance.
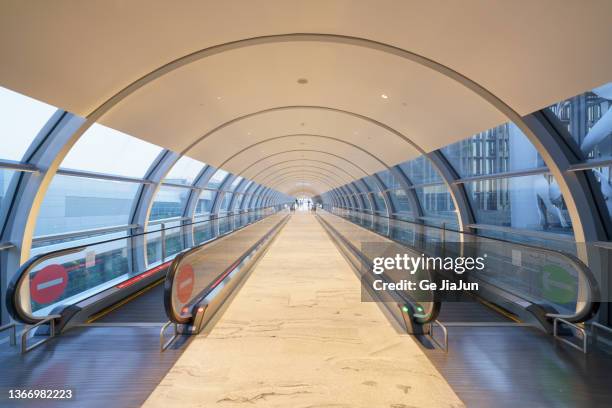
(21, 118)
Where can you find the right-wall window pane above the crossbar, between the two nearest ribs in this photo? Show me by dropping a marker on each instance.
(500, 149)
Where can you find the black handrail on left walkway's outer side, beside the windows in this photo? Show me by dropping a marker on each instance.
(14, 289)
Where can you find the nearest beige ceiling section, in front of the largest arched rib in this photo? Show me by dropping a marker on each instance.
(78, 54)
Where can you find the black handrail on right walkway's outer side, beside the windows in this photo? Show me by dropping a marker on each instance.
(590, 305)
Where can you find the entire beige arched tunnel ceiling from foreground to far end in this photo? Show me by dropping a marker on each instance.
(77, 55)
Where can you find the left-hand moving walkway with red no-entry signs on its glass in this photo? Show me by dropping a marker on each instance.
(96, 283)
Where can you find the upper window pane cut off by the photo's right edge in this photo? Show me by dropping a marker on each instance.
(588, 119)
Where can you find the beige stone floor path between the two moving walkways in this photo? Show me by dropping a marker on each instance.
(297, 335)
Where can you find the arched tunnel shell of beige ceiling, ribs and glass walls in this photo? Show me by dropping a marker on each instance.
(152, 128)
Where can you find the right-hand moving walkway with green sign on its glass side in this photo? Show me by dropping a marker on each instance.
(516, 287)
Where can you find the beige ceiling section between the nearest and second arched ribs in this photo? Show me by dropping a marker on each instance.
(190, 101)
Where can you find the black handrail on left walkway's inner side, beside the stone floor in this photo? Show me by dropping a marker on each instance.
(187, 311)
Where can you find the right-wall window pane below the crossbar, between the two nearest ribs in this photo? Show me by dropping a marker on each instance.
(530, 202)
